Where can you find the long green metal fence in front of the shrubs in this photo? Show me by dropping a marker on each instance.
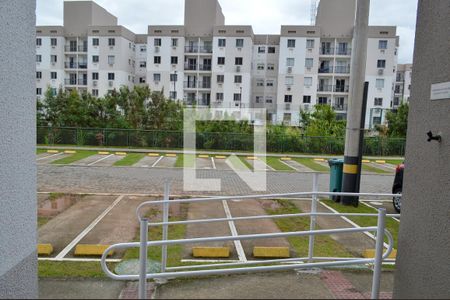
(276, 143)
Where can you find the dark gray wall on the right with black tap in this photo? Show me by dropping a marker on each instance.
(423, 263)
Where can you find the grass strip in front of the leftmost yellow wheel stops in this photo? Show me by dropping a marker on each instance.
(51, 269)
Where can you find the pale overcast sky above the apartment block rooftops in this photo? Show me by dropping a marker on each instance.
(266, 16)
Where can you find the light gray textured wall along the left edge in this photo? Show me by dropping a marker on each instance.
(18, 258)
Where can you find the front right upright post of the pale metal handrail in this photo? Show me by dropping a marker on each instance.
(378, 254)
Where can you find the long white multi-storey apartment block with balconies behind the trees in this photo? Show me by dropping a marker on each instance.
(207, 63)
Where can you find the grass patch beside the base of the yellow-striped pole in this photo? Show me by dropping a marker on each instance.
(391, 225)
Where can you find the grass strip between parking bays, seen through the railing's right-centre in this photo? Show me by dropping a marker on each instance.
(324, 245)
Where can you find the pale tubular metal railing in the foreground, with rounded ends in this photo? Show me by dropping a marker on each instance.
(246, 266)
